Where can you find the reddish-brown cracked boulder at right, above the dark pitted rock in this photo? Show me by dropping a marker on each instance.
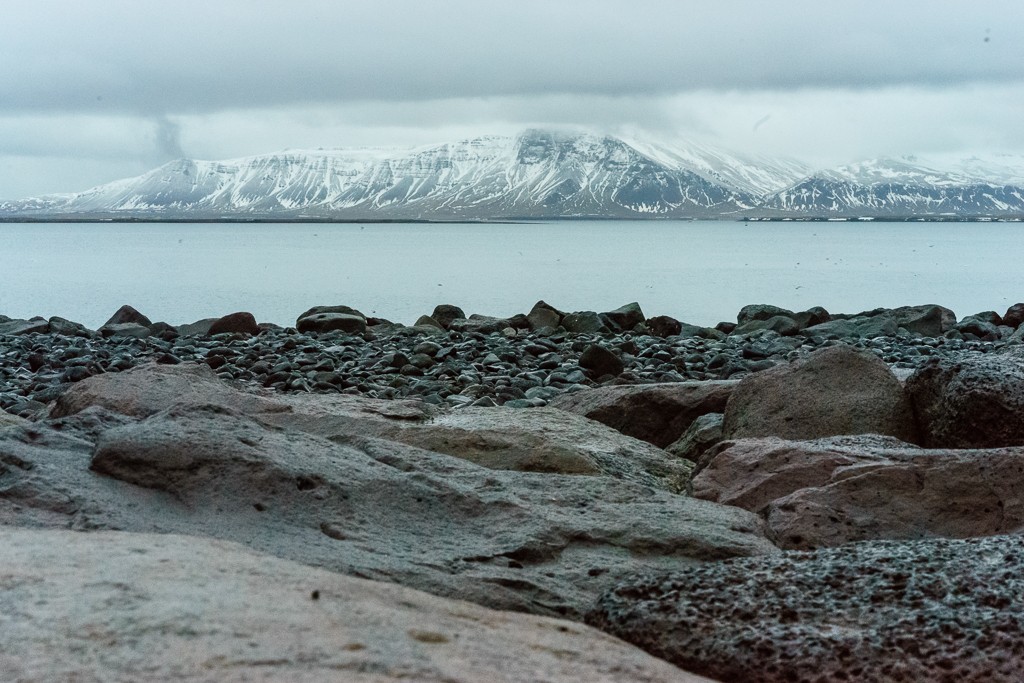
(841, 490)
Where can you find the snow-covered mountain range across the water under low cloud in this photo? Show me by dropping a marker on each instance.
(540, 175)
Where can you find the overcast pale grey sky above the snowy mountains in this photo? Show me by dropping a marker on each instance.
(95, 92)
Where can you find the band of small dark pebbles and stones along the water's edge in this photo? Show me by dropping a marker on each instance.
(449, 359)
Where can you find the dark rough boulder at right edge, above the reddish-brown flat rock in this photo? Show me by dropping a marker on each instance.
(970, 402)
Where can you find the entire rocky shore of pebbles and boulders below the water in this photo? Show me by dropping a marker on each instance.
(797, 496)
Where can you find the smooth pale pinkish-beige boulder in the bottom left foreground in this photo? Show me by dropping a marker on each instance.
(174, 608)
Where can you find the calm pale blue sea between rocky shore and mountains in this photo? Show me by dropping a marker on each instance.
(701, 273)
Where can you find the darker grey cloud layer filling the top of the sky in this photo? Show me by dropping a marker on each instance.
(195, 57)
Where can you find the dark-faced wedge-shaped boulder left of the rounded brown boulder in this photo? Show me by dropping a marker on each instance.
(658, 414)
